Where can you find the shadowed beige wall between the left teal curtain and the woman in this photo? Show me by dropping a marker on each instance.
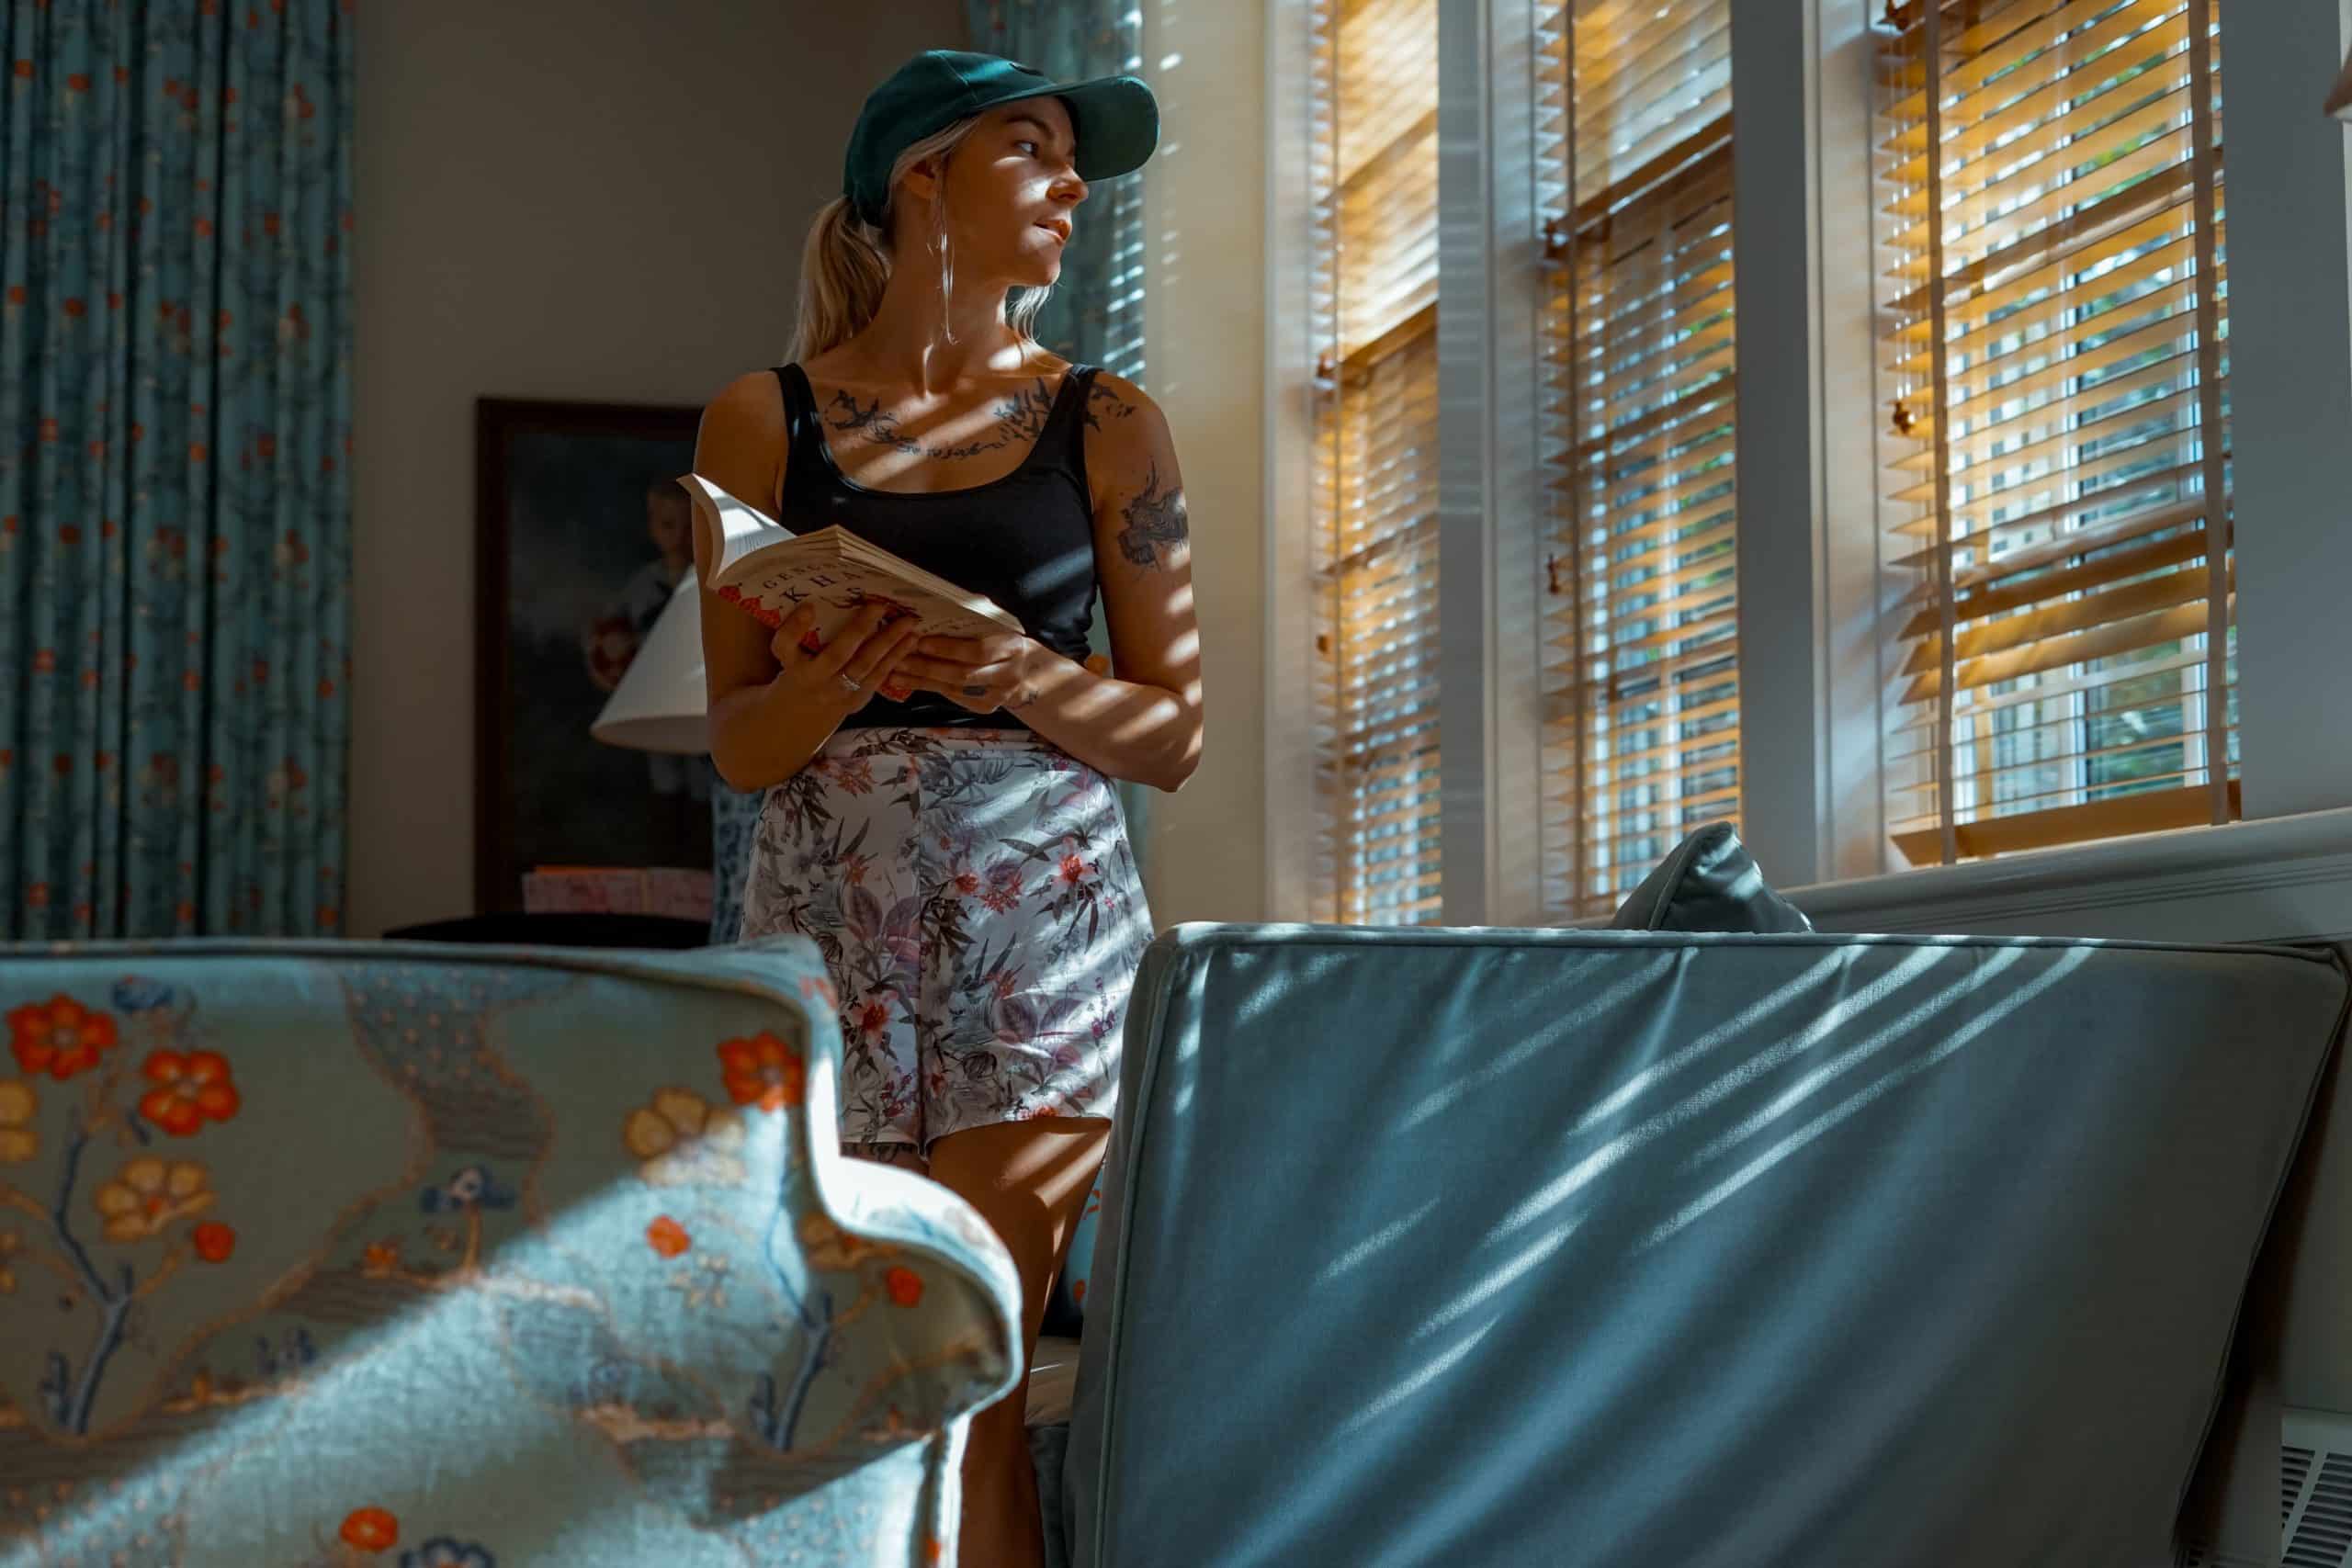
(556, 201)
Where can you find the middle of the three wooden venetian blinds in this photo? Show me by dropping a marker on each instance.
(1643, 688)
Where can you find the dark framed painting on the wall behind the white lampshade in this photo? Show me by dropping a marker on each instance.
(566, 556)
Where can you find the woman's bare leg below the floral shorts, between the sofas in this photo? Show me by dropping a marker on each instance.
(1029, 1181)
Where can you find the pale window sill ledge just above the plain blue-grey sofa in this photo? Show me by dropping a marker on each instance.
(2245, 883)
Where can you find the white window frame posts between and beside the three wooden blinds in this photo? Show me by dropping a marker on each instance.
(1815, 603)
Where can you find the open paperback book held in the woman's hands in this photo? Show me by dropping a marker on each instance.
(768, 570)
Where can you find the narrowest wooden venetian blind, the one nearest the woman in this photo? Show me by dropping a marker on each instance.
(1377, 457)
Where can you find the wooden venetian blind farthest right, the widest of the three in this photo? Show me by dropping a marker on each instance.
(2059, 464)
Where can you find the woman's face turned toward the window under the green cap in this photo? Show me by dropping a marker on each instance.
(1013, 194)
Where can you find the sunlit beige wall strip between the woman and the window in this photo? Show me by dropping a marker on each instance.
(1205, 363)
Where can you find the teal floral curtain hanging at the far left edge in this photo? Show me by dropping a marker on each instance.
(175, 492)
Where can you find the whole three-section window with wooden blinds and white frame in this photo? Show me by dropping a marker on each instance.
(1991, 598)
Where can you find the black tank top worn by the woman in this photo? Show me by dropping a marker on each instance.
(1027, 540)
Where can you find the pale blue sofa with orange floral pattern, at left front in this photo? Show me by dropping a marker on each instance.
(432, 1257)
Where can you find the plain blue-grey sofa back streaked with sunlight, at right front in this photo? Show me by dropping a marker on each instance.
(1631, 1247)
